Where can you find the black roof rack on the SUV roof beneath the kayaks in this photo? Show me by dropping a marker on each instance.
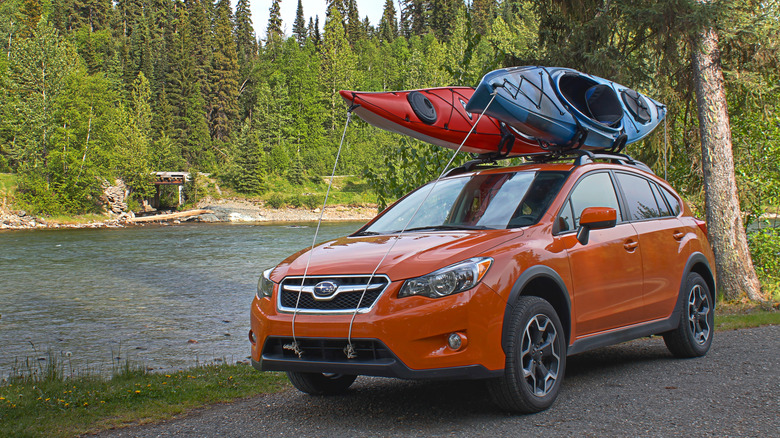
(581, 157)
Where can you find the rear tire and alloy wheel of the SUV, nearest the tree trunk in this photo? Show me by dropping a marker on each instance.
(693, 335)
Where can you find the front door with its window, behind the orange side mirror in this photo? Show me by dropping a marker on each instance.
(607, 272)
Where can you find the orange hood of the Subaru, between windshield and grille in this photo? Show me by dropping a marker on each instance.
(412, 254)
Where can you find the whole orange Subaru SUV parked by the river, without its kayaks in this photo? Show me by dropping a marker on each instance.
(495, 273)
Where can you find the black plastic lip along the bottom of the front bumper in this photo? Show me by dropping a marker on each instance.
(385, 367)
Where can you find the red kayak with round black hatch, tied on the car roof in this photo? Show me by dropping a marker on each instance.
(439, 116)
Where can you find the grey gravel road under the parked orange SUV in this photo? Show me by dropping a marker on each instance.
(632, 389)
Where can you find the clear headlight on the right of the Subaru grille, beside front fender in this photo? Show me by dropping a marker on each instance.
(447, 281)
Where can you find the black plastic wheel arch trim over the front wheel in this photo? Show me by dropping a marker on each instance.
(529, 275)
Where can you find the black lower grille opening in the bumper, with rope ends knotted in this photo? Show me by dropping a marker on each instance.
(327, 350)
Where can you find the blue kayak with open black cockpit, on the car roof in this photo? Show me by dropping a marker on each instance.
(564, 108)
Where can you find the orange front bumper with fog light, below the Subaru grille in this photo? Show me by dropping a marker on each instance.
(404, 338)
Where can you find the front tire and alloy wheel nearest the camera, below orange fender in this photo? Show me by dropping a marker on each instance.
(535, 359)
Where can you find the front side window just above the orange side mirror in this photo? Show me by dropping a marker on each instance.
(594, 190)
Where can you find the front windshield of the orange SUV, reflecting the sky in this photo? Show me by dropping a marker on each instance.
(483, 201)
